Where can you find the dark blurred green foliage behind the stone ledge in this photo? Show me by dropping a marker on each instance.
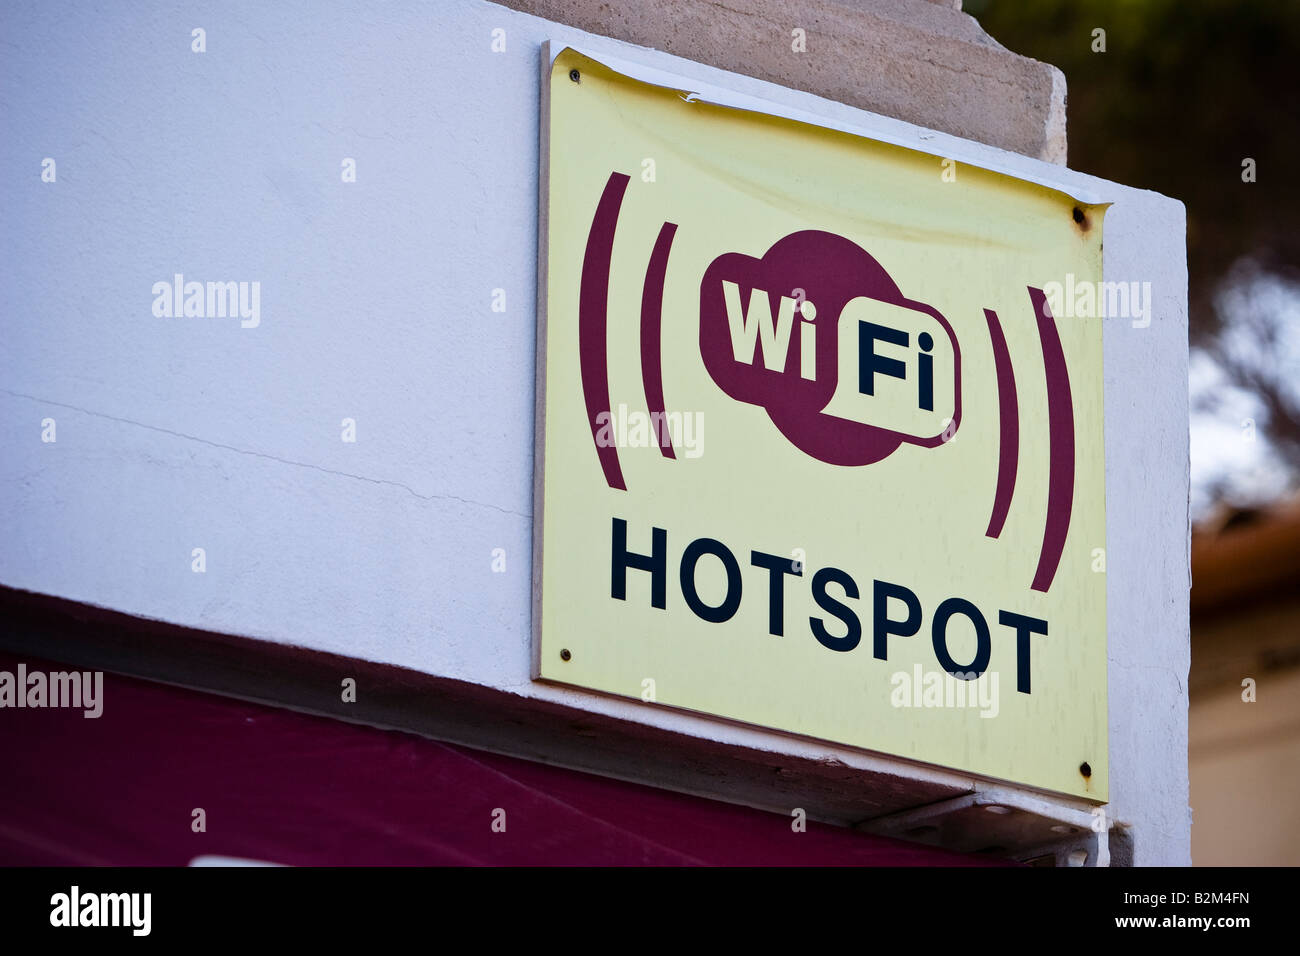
(1184, 93)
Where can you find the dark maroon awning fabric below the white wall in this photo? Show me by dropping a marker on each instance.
(287, 788)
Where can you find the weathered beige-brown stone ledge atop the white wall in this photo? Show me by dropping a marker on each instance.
(921, 62)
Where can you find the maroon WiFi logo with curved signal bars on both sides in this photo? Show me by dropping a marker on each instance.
(812, 332)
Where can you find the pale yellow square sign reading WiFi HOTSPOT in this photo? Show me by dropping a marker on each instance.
(813, 452)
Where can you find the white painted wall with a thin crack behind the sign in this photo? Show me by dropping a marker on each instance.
(181, 434)
